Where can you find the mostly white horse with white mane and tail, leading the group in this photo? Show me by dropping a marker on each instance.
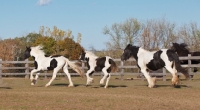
(43, 62)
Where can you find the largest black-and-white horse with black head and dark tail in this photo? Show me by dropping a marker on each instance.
(154, 60)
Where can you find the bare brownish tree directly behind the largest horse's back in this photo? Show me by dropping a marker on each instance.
(156, 34)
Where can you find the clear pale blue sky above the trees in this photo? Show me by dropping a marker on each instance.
(89, 17)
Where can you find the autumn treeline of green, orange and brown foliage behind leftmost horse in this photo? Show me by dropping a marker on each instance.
(55, 42)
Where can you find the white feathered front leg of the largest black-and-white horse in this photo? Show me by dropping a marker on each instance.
(150, 80)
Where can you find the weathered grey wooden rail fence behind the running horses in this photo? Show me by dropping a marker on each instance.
(27, 68)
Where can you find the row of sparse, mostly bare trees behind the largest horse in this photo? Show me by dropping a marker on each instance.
(150, 34)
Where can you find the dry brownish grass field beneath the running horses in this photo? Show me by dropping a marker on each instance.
(18, 94)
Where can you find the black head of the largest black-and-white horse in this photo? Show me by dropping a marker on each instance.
(127, 53)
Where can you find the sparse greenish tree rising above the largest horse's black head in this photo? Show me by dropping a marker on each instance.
(122, 34)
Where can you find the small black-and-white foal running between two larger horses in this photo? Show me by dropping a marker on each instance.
(97, 64)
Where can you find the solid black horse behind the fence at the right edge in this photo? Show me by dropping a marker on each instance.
(182, 50)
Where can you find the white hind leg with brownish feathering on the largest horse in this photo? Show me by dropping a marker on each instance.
(175, 79)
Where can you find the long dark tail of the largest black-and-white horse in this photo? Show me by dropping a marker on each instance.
(178, 66)
